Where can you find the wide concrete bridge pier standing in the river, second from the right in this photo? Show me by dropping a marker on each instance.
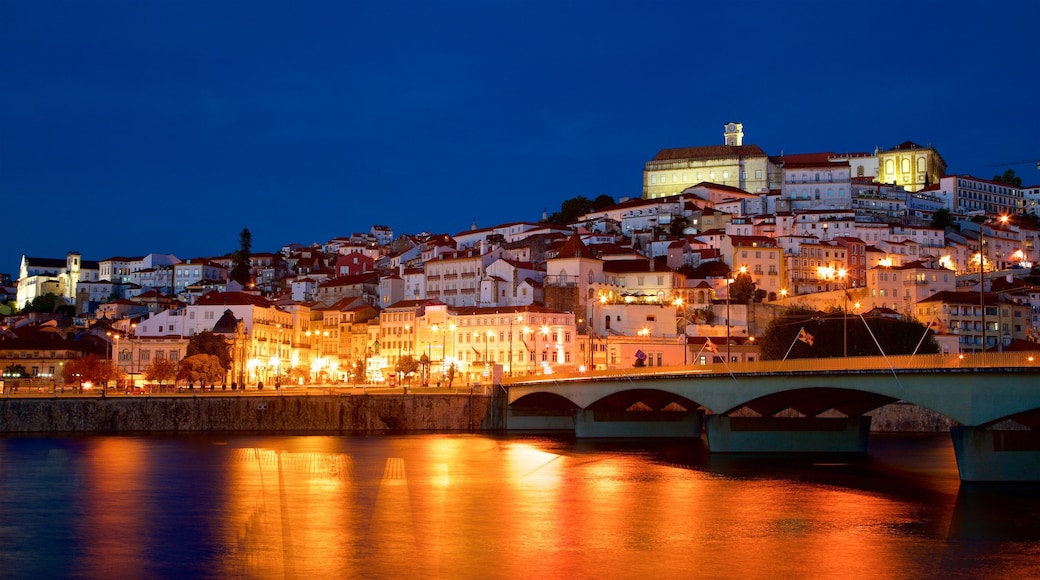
(783, 435)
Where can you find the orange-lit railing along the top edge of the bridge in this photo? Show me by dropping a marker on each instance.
(840, 364)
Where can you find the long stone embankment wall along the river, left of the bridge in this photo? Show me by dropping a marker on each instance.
(399, 413)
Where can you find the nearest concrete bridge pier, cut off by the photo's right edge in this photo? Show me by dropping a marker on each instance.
(997, 456)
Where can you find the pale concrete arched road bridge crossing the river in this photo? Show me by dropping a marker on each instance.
(802, 406)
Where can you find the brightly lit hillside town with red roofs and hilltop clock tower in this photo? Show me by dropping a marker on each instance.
(643, 281)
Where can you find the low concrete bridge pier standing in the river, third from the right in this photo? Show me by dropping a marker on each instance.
(591, 424)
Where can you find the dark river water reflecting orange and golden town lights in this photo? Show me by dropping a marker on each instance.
(482, 507)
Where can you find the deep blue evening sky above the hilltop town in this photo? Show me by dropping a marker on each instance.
(167, 126)
